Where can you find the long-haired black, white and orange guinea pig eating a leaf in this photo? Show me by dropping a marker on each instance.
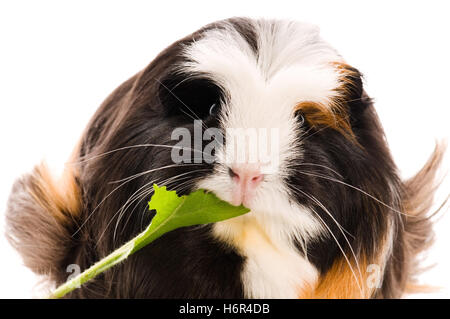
(329, 216)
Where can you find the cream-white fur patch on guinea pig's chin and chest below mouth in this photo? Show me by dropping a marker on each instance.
(273, 267)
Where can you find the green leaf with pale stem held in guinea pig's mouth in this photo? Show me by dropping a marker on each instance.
(172, 212)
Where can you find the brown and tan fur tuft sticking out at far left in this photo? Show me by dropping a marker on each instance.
(41, 215)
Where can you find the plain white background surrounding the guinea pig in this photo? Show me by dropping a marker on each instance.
(58, 61)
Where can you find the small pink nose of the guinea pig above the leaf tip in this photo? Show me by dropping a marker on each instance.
(246, 178)
